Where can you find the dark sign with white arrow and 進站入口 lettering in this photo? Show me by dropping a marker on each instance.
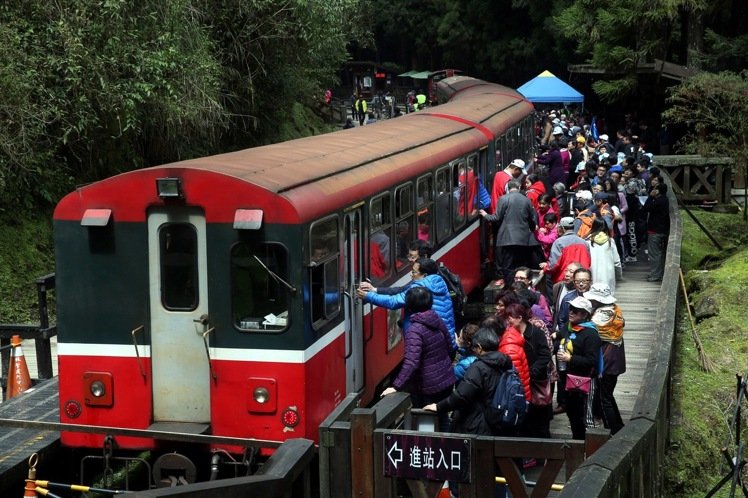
(413, 456)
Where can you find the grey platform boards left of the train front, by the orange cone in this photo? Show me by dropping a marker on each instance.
(40, 403)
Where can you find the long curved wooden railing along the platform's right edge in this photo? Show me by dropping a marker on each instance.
(631, 464)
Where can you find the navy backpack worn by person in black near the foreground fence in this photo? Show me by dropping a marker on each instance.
(508, 404)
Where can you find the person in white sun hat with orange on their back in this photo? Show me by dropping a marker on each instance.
(608, 318)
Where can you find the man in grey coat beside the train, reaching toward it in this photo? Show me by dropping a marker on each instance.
(515, 240)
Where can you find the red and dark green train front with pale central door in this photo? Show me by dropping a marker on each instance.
(181, 309)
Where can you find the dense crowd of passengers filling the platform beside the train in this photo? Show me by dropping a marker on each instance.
(576, 214)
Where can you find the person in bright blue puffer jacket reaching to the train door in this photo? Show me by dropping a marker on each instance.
(425, 273)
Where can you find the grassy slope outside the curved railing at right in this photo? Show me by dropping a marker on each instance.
(703, 403)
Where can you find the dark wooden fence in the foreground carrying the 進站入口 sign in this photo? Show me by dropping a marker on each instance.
(355, 444)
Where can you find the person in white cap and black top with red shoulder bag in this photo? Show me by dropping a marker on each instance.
(580, 353)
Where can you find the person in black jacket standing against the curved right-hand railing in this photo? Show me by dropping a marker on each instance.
(657, 210)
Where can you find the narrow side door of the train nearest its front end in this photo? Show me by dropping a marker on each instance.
(352, 264)
